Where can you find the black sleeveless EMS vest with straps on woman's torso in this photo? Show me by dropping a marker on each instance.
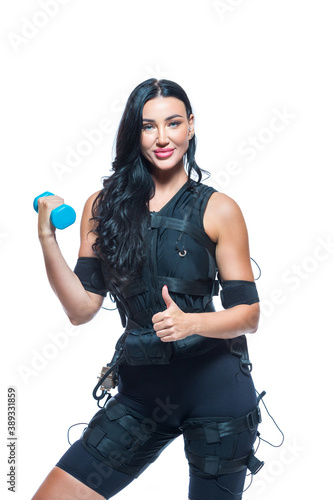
(182, 256)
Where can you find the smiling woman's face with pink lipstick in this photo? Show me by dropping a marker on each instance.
(165, 132)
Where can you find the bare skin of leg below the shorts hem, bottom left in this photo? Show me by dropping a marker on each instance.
(59, 485)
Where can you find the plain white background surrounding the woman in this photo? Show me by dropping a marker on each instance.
(68, 66)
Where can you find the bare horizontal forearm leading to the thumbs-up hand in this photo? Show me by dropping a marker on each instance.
(225, 324)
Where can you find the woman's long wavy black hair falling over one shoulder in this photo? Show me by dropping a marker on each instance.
(121, 210)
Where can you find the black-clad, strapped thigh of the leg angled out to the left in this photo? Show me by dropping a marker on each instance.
(116, 447)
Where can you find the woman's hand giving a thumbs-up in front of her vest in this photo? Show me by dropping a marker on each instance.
(171, 324)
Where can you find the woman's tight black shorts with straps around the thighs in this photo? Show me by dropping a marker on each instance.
(153, 406)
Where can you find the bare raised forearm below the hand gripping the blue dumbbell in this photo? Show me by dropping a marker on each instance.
(75, 300)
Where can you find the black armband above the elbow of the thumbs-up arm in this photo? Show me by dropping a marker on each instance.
(236, 292)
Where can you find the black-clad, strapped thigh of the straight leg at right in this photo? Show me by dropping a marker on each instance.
(219, 452)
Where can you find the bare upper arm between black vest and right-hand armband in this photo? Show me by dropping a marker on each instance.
(225, 224)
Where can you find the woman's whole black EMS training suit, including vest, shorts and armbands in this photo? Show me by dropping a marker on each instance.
(199, 387)
